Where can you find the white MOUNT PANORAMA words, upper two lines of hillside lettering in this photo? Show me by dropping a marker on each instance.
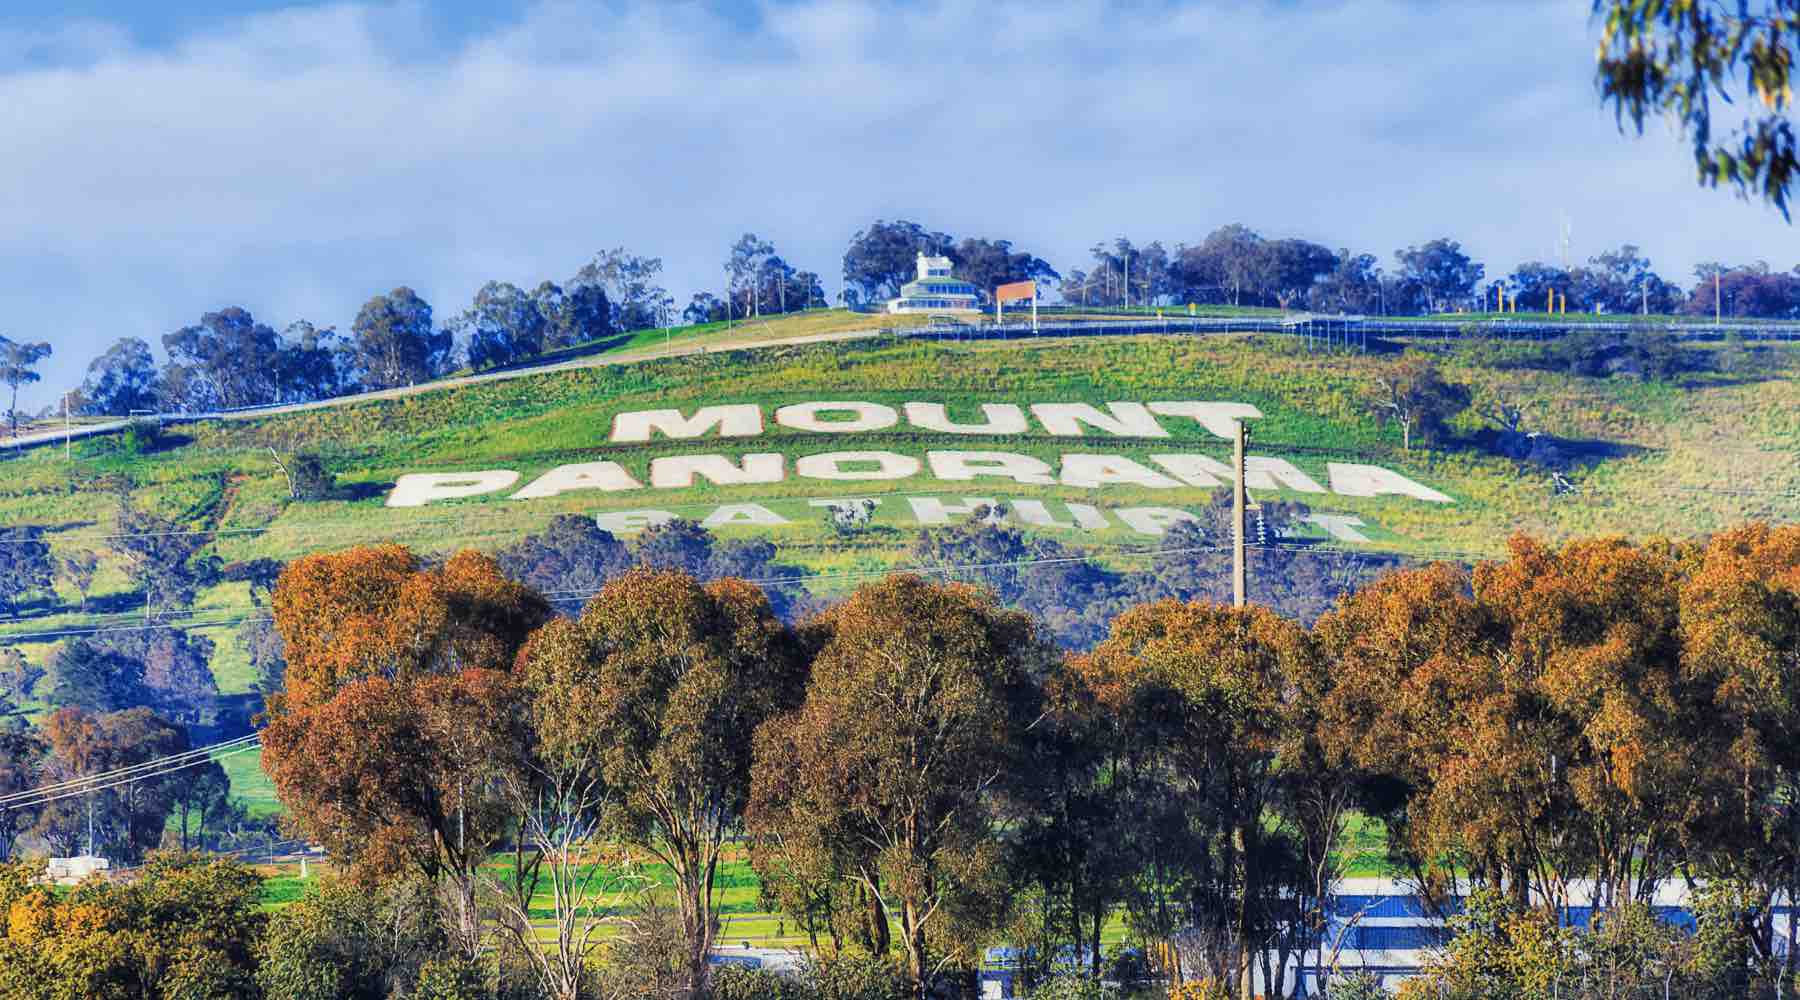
(1059, 420)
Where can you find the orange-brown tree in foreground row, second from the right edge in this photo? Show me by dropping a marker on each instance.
(1599, 719)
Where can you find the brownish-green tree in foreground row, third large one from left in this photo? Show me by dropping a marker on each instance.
(913, 720)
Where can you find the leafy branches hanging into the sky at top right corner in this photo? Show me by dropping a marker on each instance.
(1671, 58)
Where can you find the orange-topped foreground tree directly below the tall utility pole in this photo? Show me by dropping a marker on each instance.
(1205, 701)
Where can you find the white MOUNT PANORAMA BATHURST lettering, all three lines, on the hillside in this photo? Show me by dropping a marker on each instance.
(998, 422)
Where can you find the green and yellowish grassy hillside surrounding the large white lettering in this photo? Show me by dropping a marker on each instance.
(1648, 458)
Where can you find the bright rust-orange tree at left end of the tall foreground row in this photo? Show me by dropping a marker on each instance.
(400, 720)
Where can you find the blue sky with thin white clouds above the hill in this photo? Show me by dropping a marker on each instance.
(161, 161)
